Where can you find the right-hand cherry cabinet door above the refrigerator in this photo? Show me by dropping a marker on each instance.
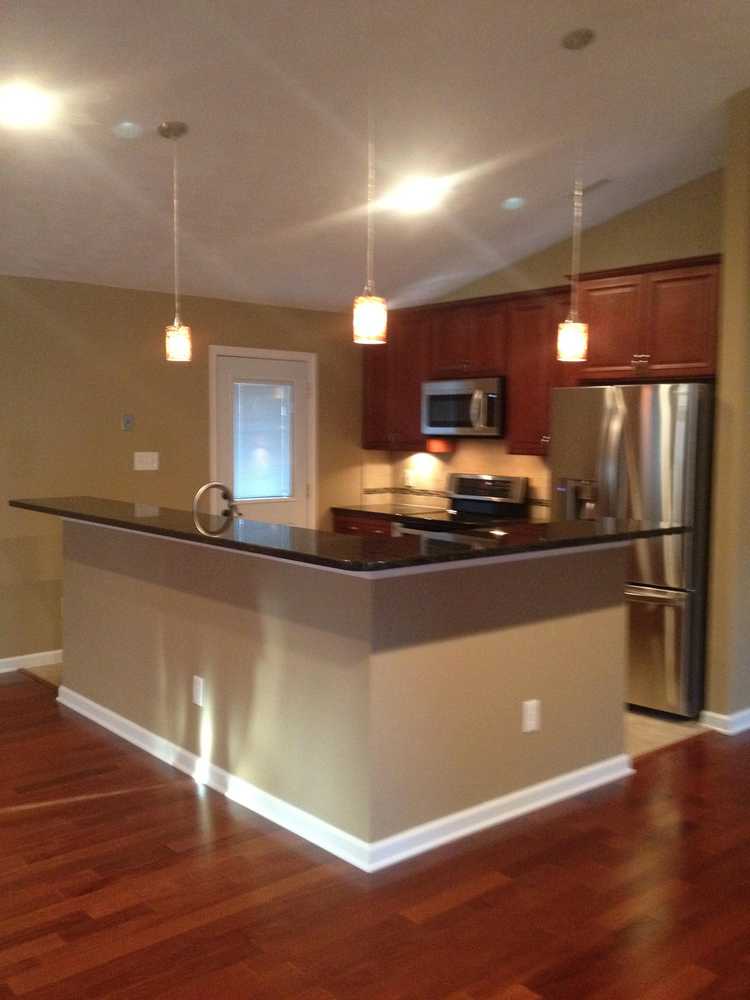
(682, 307)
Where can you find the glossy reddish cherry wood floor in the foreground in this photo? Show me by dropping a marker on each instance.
(119, 877)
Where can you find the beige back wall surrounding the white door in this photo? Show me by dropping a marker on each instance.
(74, 359)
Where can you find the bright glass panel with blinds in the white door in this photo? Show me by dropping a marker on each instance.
(263, 445)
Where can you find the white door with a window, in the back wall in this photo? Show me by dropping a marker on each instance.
(264, 430)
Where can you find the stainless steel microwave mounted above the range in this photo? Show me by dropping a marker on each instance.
(466, 407)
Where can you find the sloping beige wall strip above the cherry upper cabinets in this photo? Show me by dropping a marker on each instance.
(685, 222)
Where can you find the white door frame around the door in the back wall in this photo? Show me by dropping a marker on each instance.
(311, 362)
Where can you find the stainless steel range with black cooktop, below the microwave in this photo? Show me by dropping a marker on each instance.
(476, 502)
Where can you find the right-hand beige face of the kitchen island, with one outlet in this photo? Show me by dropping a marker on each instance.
(454, 655)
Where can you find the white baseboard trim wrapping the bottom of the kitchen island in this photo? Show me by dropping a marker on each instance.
(368, 856)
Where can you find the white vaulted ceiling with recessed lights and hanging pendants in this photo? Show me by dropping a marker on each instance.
(274, 166)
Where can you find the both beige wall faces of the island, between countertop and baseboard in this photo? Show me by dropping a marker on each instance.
(372, 704)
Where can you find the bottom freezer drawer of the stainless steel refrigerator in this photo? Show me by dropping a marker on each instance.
(659, 649)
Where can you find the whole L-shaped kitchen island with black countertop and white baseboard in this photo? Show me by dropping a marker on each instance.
(364, 692)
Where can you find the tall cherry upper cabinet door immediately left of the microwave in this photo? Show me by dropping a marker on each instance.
(408, 357)
